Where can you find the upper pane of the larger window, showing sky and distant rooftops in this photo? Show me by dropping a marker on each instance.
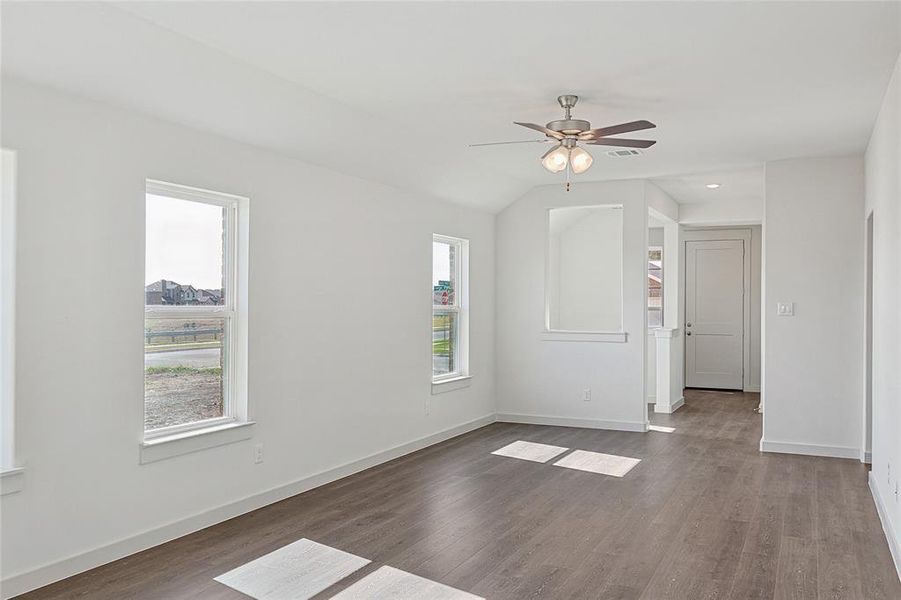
(184, 252)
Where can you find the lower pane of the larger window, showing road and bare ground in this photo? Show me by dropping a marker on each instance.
(183, 361)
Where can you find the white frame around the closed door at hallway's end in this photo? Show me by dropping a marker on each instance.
(718, 235)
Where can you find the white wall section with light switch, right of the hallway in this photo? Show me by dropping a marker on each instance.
(813, 255)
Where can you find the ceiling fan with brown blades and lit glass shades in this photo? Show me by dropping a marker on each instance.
(567, 133)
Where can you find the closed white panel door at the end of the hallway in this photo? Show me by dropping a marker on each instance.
(714, 314)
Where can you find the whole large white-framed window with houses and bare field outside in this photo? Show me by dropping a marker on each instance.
(193, 335)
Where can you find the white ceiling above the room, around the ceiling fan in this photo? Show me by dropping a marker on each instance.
(395, 92)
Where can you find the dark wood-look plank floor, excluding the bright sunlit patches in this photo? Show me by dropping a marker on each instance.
(704, 515)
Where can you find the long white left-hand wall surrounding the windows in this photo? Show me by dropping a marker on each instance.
(334, 376)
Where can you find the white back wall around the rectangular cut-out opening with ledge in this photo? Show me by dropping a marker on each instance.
(545, 379)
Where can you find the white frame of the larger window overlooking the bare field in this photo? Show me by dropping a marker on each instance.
(233, 311)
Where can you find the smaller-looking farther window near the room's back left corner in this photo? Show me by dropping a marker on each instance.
(450, 329)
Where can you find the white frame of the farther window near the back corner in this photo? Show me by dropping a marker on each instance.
(460, 308)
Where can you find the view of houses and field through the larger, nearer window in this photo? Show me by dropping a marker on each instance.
(187, 316)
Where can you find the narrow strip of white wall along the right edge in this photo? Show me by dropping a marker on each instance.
(883, 198)
